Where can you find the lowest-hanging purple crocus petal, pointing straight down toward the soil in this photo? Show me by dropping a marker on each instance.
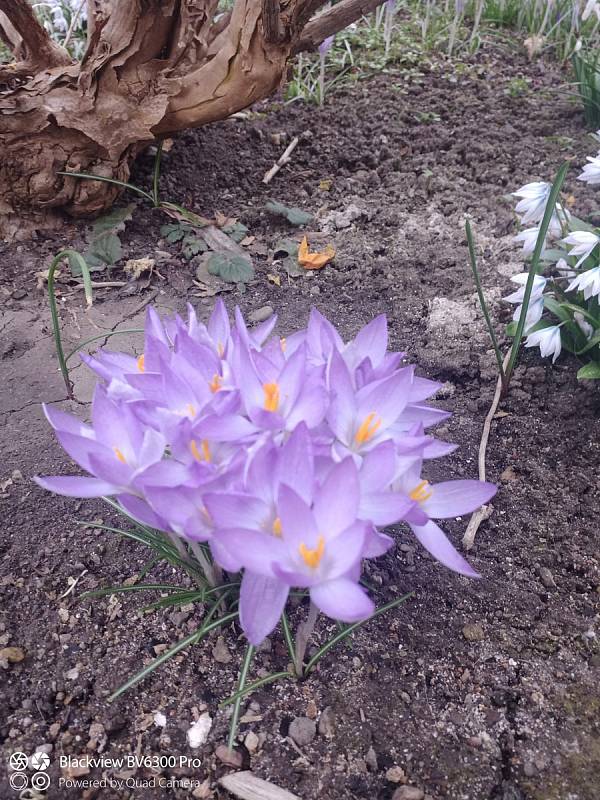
(262, 601)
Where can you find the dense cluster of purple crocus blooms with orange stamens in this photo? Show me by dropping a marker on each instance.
(287, 456)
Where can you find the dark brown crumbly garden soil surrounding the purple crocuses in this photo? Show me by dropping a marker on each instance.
(507, 708)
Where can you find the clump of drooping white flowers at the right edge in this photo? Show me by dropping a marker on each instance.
(562, 310)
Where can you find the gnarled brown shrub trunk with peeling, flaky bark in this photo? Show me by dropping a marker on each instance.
(151, 68)
